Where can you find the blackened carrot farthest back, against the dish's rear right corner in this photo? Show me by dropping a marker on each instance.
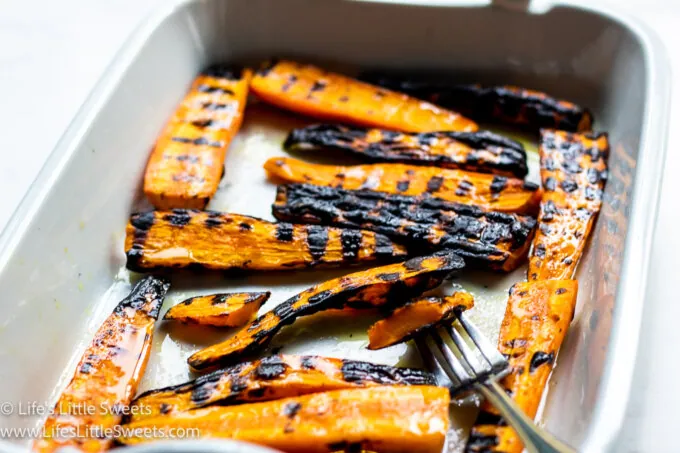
(528, 109)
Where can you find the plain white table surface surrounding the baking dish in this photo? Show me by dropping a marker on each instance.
(53, 52)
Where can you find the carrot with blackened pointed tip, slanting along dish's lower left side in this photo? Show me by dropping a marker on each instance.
(107, 375)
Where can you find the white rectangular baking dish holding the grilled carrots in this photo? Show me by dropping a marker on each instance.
(62, 250)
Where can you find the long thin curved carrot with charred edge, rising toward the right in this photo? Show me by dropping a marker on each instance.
(373, 288)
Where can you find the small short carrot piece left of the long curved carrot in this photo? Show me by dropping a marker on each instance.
(228, 310)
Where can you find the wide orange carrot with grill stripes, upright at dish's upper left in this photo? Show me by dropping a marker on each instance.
(187, 163)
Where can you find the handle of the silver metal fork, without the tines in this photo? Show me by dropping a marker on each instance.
(535, 439)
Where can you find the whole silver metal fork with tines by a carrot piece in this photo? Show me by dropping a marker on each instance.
(472, 362)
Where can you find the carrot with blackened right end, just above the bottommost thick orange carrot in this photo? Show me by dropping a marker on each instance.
(272, 378)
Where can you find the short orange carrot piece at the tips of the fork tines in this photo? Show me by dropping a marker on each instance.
(416, 316)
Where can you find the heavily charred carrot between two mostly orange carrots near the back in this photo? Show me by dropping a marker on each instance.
(481, 151)
